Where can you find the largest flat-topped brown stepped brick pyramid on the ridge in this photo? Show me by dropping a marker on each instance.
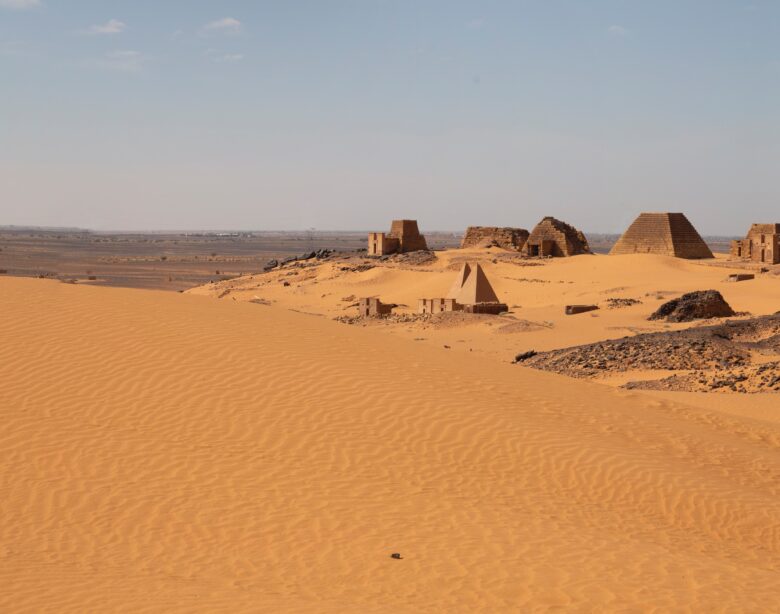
(668, 234)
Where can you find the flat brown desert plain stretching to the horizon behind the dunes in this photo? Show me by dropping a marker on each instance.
(163, 261)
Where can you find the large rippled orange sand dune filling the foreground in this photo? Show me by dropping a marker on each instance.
(165, 452)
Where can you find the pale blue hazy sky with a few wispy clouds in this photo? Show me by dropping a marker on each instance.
(343, 115)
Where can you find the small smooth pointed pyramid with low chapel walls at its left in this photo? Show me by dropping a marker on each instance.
(470, 292)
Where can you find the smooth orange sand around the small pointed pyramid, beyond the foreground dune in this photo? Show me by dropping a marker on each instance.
(536, 293)
